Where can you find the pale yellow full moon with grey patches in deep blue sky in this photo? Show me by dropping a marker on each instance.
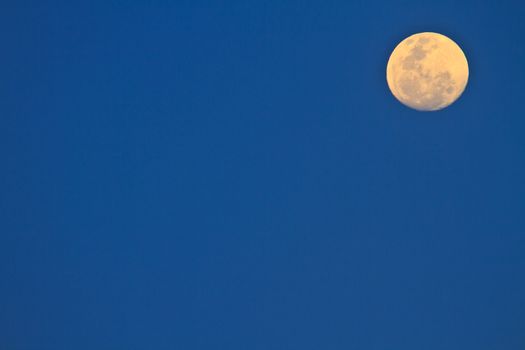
(427, 71)
